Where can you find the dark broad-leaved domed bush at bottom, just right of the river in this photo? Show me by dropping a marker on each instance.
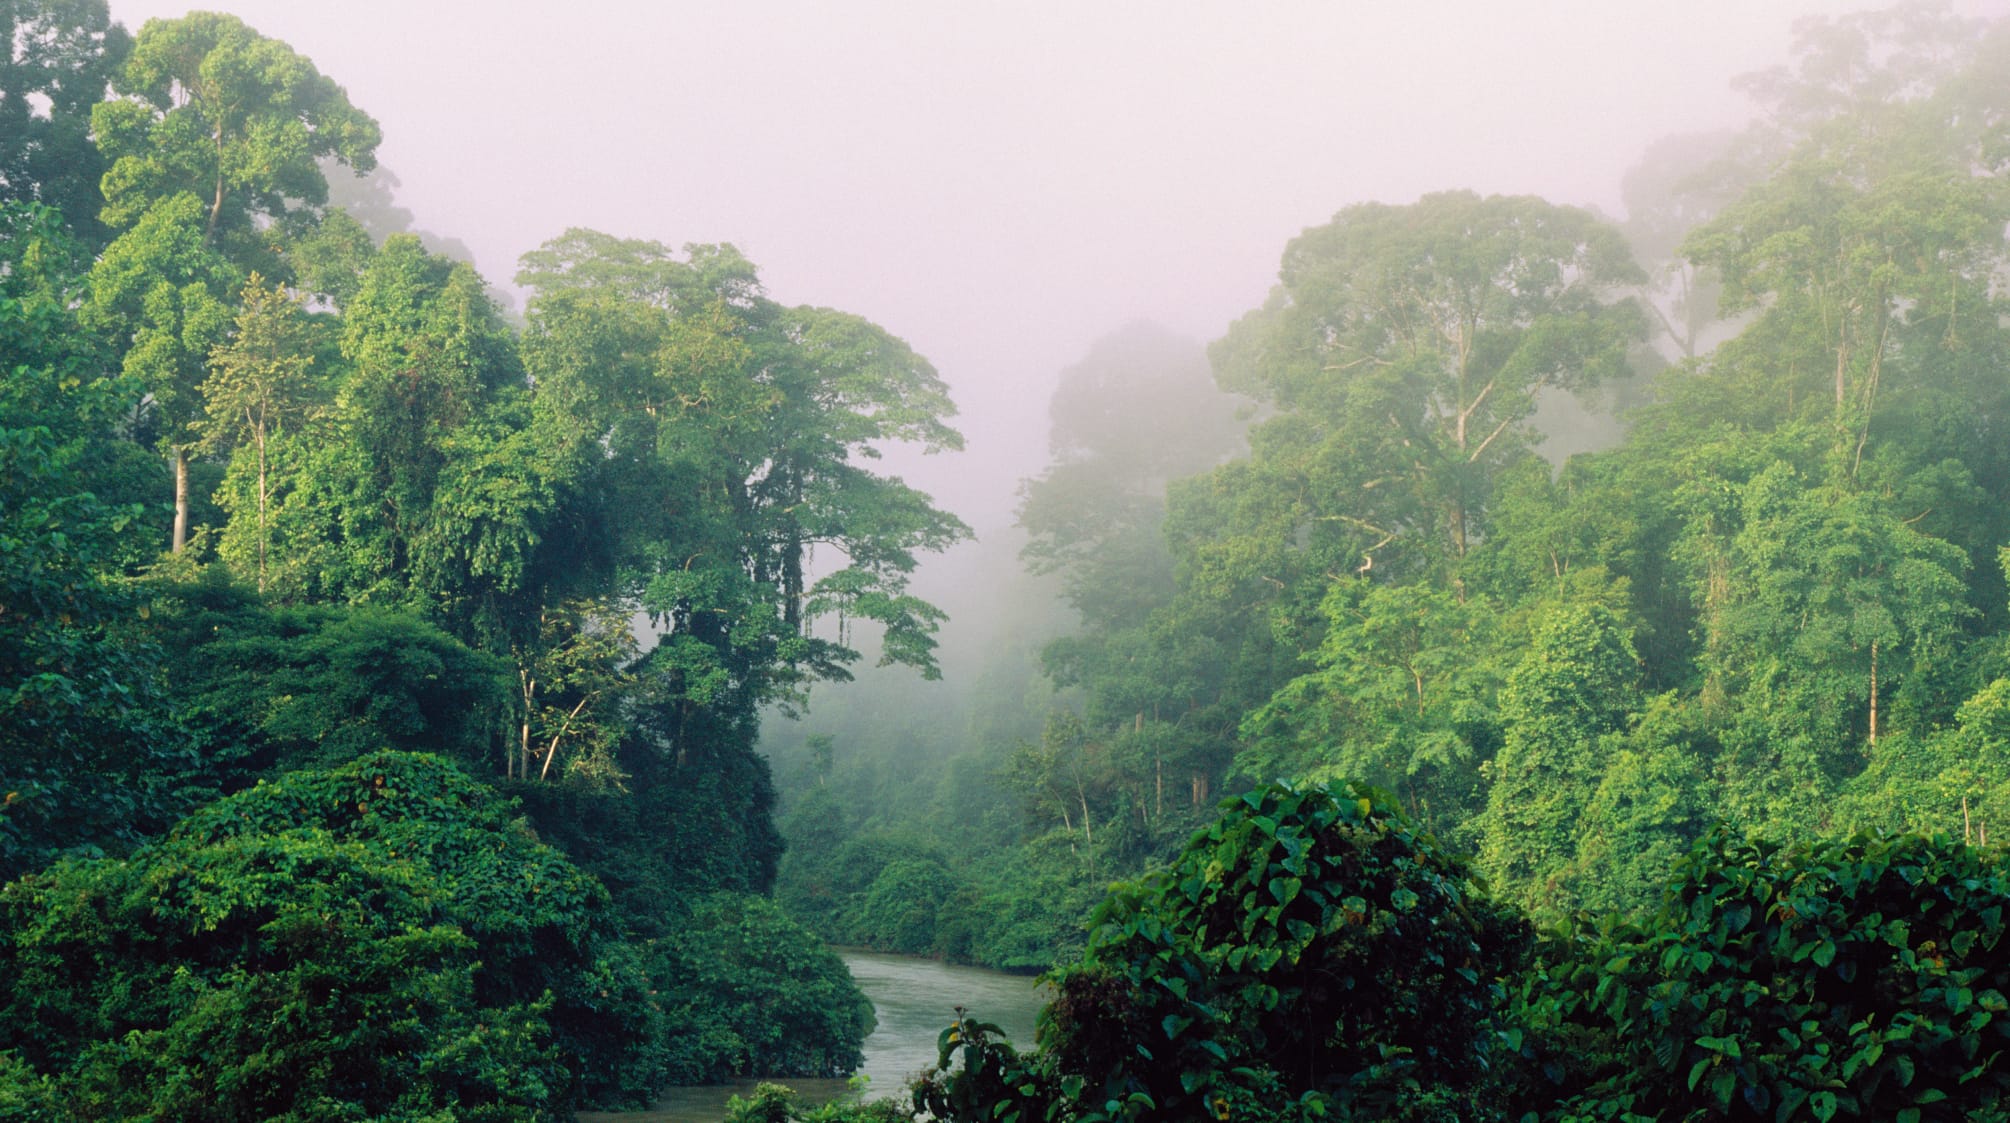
(1308, 955)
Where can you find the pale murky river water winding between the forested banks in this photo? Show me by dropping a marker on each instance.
(914, 999)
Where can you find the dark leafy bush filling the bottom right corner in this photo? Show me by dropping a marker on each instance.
(1860, 979)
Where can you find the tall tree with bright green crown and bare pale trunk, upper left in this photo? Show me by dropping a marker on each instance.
(214, 134)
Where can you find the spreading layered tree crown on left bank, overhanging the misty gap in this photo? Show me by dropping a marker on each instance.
(698, 385)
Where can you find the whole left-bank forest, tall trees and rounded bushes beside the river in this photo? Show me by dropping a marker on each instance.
(381, 676)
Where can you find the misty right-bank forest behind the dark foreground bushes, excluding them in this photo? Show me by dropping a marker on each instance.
(1766, 588)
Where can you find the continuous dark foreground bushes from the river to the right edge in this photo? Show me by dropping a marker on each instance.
(1316, 957)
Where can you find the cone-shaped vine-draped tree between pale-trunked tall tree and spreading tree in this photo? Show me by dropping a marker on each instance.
(437, 497)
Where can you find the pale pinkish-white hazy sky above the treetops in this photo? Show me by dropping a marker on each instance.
(1002, 184)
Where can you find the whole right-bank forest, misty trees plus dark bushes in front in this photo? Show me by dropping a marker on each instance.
(1651, 782)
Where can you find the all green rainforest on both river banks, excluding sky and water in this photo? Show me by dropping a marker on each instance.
(1609, 618)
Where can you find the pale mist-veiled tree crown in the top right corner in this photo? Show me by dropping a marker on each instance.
(1872, 246)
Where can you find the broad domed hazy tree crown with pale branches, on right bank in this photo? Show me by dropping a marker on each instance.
(1404, 351)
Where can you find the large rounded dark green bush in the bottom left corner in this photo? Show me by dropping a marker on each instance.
(371, 941)
